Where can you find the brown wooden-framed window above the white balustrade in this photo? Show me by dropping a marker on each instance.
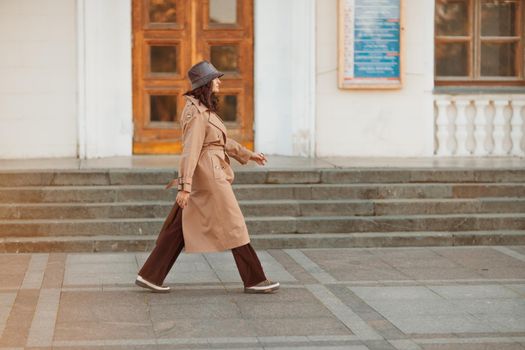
(479, 42)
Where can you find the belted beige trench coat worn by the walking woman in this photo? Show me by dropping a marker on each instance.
(212, 220)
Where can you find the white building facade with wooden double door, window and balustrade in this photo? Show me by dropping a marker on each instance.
(99, 78)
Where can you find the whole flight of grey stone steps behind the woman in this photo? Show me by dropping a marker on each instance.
(123, 210)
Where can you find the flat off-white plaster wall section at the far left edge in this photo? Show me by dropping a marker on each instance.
(38, 78)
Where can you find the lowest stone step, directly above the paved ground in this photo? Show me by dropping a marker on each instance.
(145, 243)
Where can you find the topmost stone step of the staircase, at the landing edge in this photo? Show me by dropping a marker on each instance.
(261, 175)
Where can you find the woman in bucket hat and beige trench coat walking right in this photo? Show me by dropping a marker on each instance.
(206, 216)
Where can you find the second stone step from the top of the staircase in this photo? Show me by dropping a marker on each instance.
(117, 193)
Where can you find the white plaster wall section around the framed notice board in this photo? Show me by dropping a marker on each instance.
(381, 122)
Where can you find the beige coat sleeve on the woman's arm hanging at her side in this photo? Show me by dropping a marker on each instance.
(193, 133)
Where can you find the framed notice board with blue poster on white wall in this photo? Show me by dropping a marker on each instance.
(370, 44)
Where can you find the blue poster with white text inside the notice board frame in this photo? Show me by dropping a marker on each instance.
(376, 39)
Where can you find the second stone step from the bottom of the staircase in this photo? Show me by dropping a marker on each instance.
(273, 224)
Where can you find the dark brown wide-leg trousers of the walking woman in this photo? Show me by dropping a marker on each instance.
(169, 245)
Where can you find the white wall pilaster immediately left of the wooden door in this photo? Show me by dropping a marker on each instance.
(105, 79)
